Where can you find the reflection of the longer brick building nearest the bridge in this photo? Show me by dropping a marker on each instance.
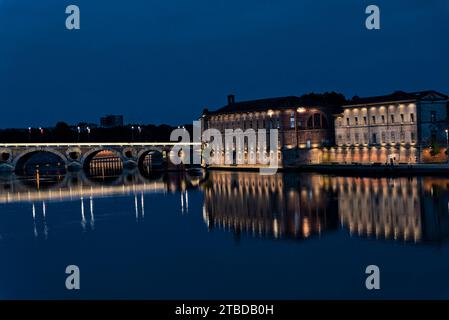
(275, 205)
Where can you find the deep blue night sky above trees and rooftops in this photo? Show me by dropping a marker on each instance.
(164, 61)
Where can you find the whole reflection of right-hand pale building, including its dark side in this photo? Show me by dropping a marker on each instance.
(408, 209)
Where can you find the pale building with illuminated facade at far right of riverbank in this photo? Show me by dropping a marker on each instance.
(403, 127)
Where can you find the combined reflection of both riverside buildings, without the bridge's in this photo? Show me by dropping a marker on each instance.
(302, 205)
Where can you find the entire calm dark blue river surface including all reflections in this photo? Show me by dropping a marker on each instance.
(224, 236)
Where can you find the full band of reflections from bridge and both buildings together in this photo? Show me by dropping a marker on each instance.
(282, 206)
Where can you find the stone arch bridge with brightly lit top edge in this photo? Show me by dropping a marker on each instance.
(78, 155)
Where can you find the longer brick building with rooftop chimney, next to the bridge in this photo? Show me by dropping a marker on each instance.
(305, 124)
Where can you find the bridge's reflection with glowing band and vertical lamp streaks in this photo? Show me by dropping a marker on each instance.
(77, 188)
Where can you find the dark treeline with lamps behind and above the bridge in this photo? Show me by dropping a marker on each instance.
(63, 132)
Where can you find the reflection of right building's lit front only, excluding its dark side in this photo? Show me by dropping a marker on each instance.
(383, 208)
